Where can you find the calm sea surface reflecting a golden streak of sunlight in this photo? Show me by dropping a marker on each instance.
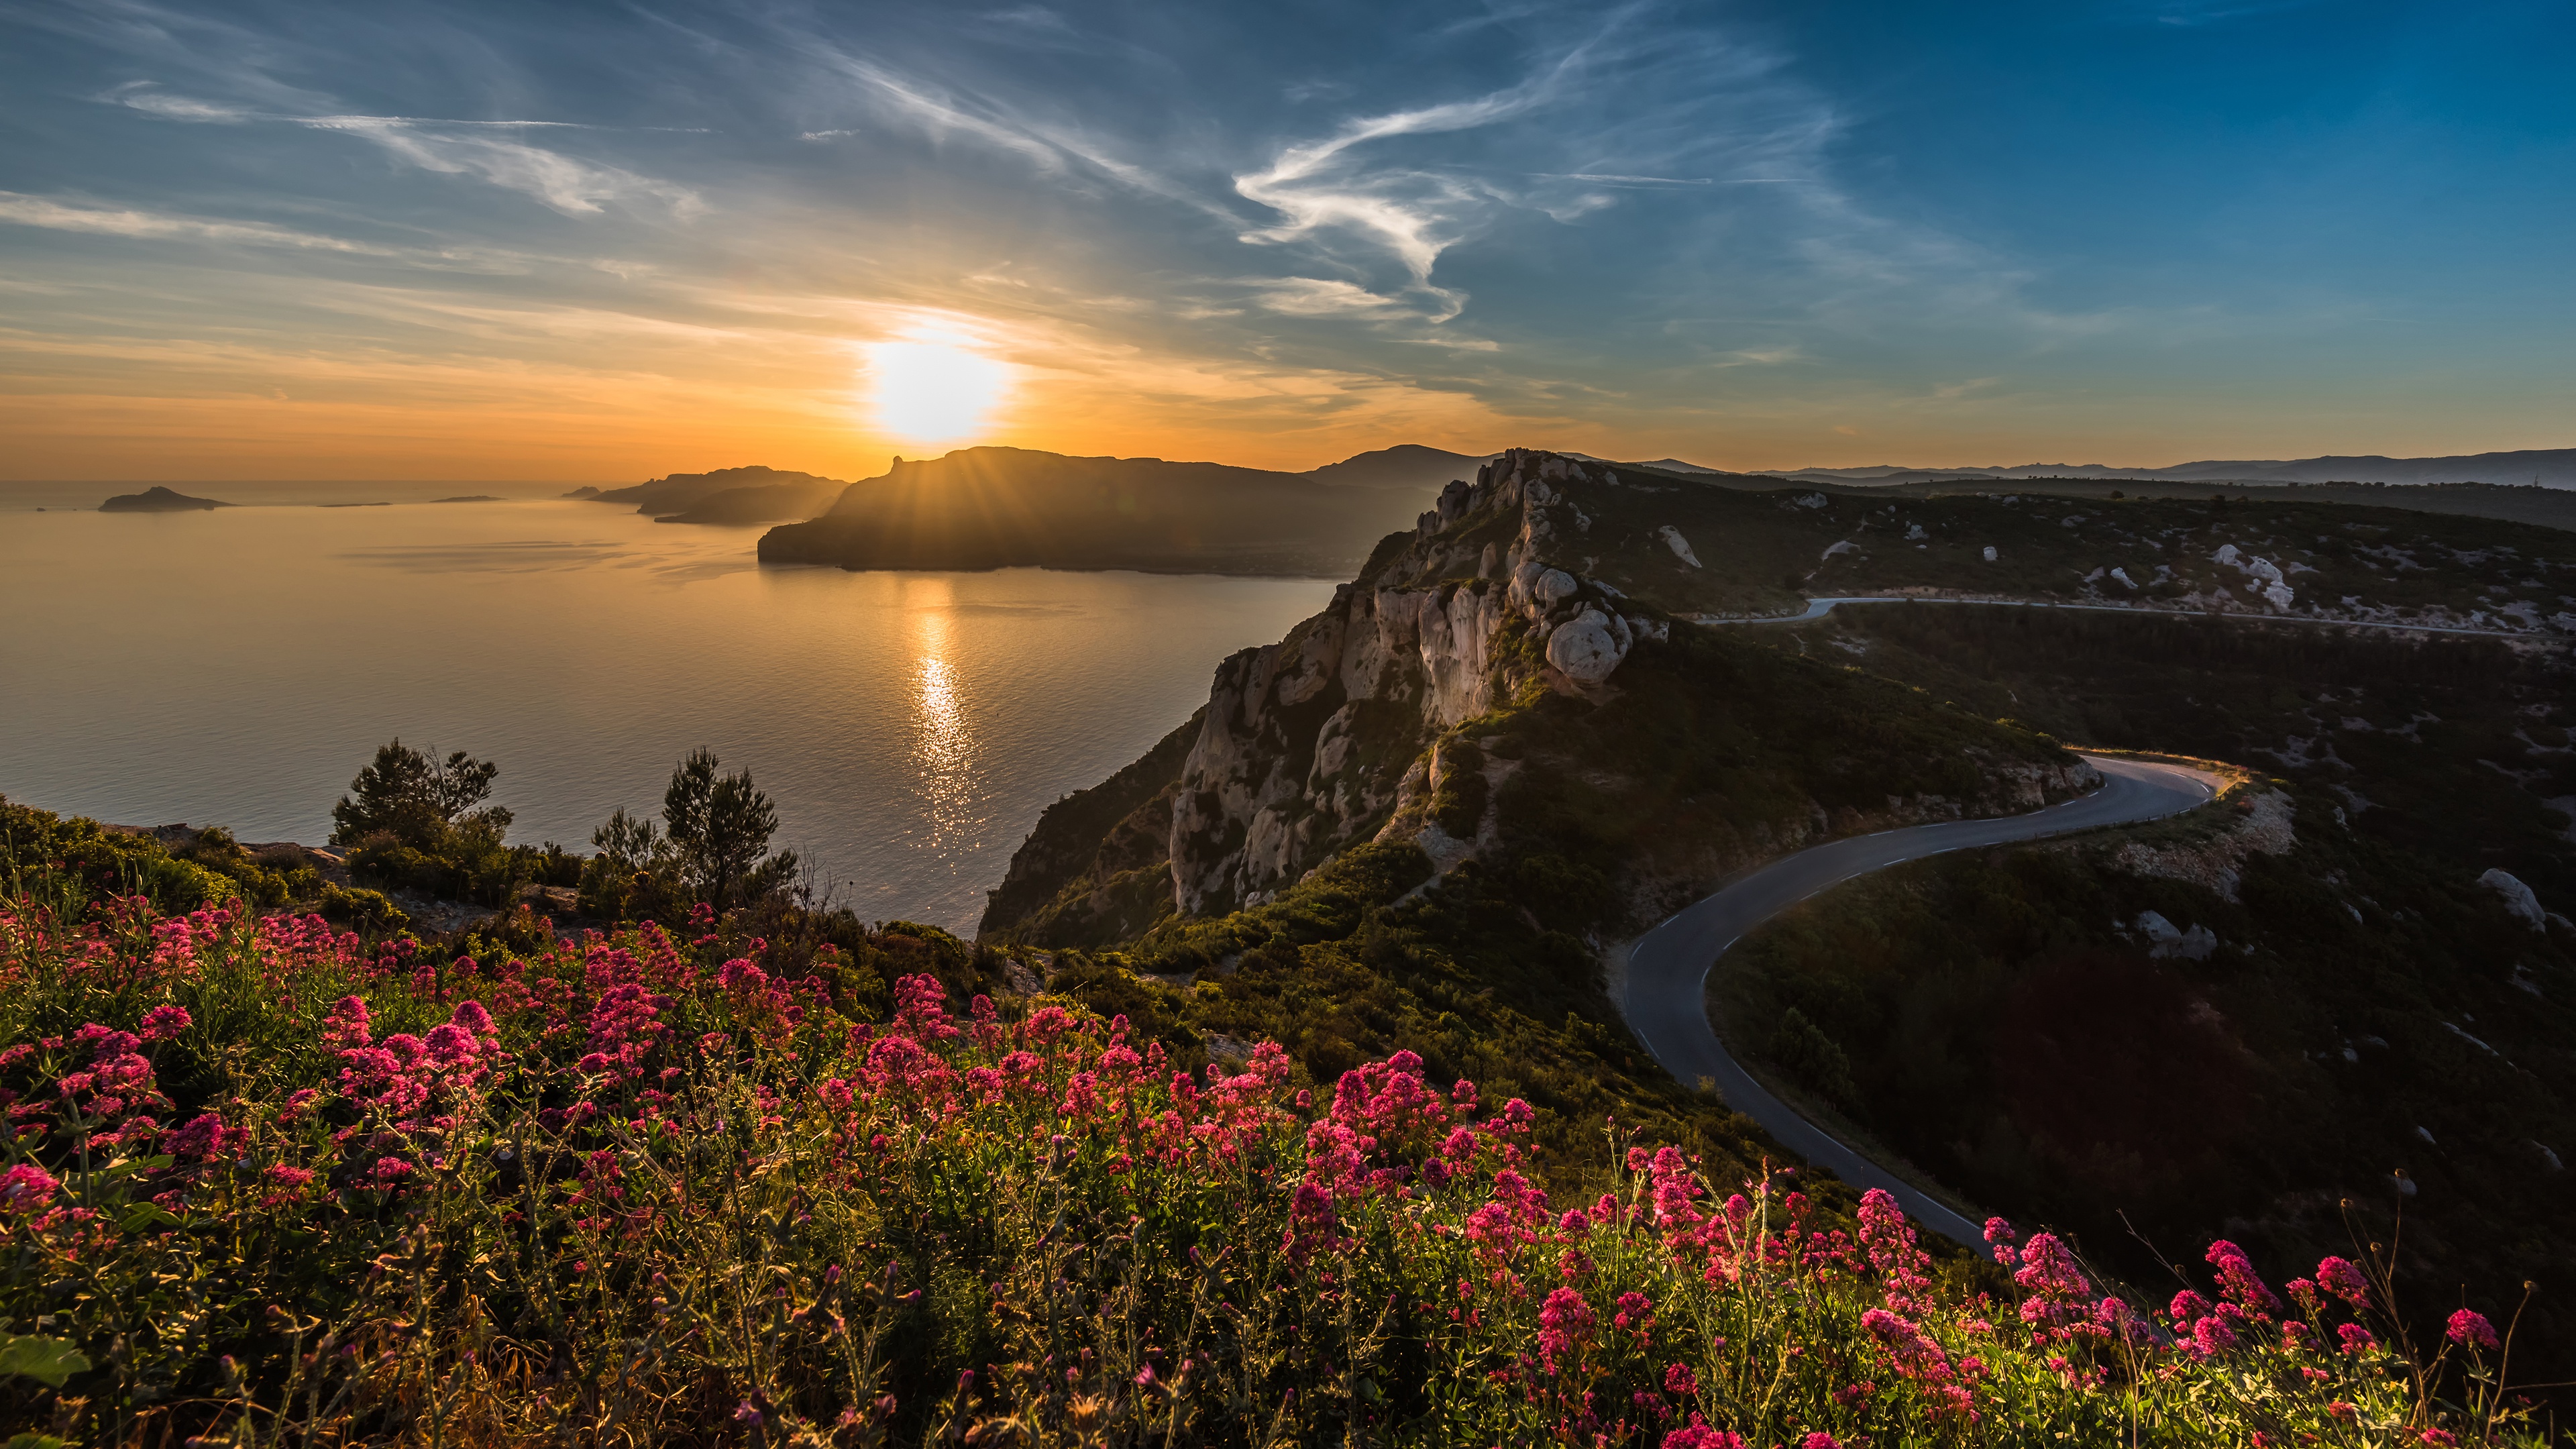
(238, 666)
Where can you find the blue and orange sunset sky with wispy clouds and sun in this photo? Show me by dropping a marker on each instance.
(565, 241)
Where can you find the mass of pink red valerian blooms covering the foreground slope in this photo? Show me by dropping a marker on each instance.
(607, 1105)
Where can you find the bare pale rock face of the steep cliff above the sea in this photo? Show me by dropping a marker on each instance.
(1307, 744)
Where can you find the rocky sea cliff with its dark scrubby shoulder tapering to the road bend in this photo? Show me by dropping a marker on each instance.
(1464, 695)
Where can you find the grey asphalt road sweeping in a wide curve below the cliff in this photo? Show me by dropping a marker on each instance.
(1665, 991)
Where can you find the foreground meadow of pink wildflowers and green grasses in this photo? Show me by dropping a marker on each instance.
(282, 1185)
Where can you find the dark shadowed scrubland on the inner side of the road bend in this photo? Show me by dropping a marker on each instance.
(2363, 1009)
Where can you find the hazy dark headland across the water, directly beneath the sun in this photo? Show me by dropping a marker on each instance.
(983, 509)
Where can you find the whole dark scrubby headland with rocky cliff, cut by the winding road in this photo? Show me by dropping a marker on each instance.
(1513, 697)
